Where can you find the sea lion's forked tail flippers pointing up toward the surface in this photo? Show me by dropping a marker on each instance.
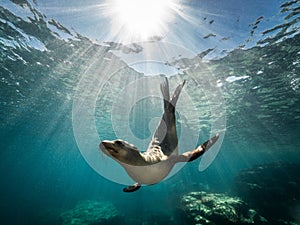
(169, 104)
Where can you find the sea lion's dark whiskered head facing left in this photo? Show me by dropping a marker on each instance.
(121, 151)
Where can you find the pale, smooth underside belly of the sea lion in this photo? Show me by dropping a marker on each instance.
(151, 174)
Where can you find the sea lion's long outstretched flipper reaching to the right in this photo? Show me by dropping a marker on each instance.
(196, 153)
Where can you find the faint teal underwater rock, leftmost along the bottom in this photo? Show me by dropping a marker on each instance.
(91, 213)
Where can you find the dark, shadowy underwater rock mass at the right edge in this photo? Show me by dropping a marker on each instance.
(273, 189)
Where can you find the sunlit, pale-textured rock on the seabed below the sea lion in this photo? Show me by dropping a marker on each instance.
(214, 209)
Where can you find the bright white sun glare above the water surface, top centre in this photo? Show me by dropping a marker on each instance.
(141, 19)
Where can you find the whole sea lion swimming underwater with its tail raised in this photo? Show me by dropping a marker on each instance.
(154, 165)
